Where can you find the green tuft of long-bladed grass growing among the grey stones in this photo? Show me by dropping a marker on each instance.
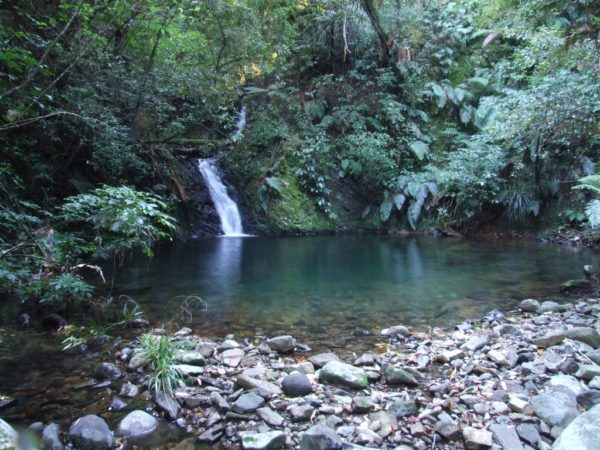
(159, 351)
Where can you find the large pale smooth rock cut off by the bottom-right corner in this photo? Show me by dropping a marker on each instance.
(582, 433)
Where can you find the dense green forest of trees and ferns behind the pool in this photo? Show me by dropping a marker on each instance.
(374, 114)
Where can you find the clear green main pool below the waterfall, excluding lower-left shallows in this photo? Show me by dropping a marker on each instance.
(331, 290)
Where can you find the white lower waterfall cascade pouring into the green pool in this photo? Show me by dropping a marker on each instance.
(231, 221)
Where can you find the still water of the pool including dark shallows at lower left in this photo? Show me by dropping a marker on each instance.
(331, 292)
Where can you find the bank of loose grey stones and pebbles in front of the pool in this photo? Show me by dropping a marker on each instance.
(528, 380)
